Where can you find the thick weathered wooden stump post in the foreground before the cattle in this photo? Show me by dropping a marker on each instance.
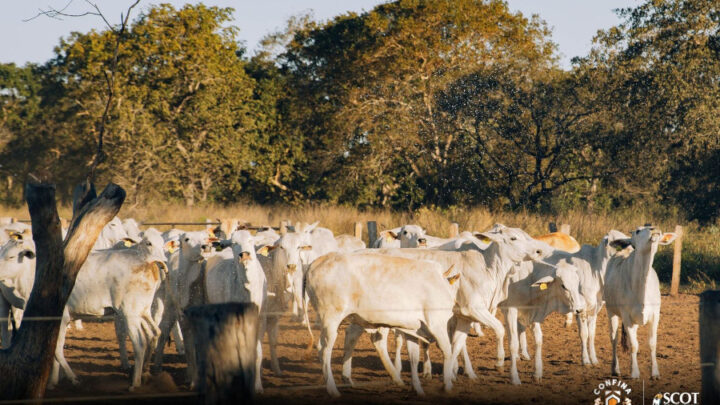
(226, 349)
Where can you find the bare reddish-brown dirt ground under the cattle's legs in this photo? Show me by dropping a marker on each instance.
(93, 354)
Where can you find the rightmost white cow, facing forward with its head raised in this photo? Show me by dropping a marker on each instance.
(632, 293)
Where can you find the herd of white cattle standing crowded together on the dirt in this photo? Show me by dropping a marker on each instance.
(424, 289)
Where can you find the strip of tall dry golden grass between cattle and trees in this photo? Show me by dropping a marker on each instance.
(701, 246)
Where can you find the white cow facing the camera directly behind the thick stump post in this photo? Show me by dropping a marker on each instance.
(240, 279)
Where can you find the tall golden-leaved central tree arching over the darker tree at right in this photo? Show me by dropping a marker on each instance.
(365, 88)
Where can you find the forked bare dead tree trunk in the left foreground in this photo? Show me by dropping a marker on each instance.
(25, 366)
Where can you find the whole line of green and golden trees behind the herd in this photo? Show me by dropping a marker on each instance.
(414, 102)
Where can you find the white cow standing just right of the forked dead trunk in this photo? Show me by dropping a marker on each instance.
(124, 280)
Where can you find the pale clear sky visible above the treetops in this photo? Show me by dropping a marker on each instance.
(574, 22)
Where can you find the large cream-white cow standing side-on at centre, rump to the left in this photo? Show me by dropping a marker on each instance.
(381, 291)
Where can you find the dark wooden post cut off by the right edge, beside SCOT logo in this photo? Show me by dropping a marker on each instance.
(709, 342)
